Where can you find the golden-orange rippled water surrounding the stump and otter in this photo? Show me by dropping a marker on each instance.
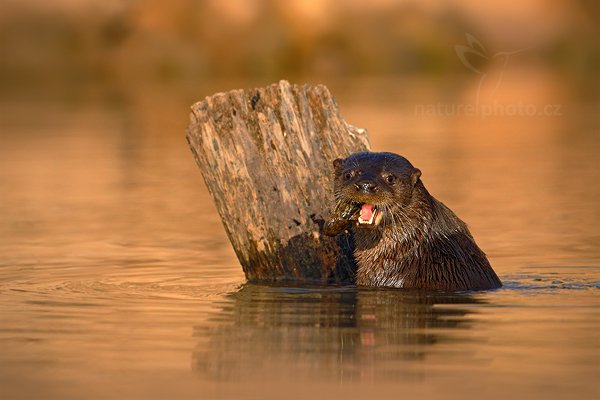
(117, 279)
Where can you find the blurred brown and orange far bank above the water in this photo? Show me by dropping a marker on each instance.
(69, 42)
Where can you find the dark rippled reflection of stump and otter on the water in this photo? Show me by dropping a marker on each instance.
(346, 333)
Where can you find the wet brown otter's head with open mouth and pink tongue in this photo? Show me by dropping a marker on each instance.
(381, 184)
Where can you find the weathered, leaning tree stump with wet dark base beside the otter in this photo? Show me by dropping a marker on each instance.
(265, 155)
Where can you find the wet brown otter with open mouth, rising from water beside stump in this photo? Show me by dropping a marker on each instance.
(403, 236)
